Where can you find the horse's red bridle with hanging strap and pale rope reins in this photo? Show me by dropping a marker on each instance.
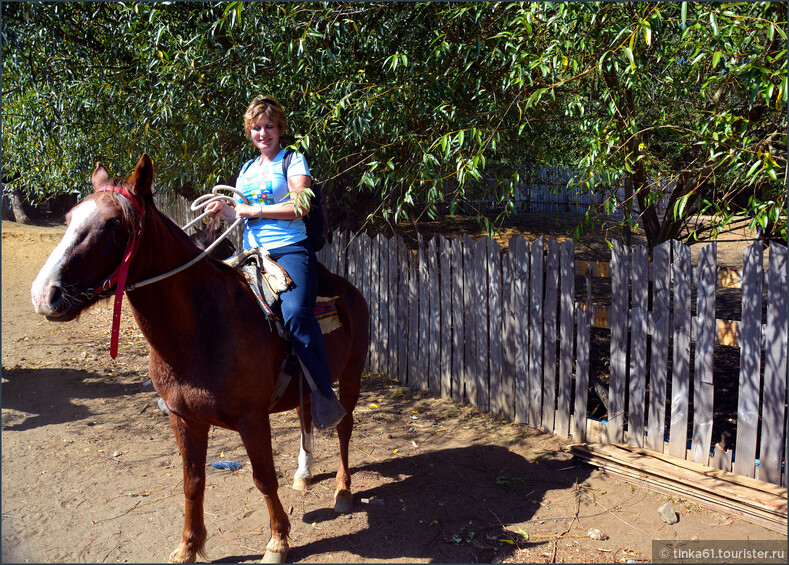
(118, 277)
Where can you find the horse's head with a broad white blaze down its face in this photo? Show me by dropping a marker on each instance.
(81, 268)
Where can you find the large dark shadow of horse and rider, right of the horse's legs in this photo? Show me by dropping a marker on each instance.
(447, 506)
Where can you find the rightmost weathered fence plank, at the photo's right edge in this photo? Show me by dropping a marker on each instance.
(773, 420)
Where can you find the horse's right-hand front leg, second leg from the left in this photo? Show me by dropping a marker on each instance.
(256, 436)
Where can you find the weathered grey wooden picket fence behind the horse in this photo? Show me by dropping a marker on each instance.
(504, 332)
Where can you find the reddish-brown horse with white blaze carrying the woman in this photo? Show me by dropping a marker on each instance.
(213, 357)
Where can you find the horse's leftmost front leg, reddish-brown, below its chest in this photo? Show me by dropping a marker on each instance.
(192, 438)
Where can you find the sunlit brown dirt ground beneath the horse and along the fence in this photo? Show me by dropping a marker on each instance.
(91, 472)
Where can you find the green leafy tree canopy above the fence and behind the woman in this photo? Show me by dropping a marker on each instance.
(418, 108)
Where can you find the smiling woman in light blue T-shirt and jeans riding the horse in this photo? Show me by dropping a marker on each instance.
(273, 221)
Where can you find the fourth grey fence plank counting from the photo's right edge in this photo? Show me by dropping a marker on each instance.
(680, 366)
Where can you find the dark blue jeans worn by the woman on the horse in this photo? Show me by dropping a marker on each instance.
(298, 303)
